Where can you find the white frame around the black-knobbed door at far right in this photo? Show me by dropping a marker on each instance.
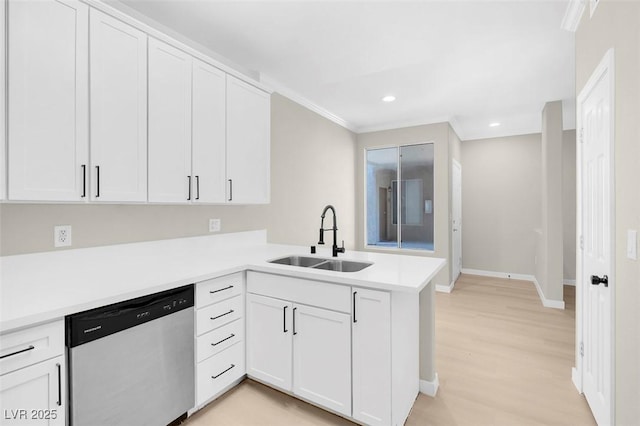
(606, 66)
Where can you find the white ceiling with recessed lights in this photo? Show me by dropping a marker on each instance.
(467, 62)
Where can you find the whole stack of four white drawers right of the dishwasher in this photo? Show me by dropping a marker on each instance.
(220, 351)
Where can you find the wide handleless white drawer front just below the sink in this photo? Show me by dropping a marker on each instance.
(315, 293)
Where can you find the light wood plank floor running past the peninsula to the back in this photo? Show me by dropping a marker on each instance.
(502, 359)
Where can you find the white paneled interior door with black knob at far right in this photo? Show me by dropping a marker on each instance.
(595, 207)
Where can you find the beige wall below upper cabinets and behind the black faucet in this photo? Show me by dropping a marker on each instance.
(302, 144)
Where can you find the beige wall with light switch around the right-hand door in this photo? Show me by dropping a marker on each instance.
(616, 24)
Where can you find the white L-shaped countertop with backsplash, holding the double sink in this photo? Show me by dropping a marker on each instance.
(41, 287)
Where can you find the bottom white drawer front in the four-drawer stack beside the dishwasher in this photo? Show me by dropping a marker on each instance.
(219, 371)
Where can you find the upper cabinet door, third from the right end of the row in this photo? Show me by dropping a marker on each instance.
(169, 123)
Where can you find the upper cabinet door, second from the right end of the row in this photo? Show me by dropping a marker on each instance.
(208, 143)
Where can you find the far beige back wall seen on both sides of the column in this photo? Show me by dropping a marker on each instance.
(501, 198)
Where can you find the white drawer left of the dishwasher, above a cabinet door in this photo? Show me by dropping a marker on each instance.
(29, 346)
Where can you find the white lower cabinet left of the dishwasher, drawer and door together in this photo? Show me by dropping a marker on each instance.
(32, 380)
